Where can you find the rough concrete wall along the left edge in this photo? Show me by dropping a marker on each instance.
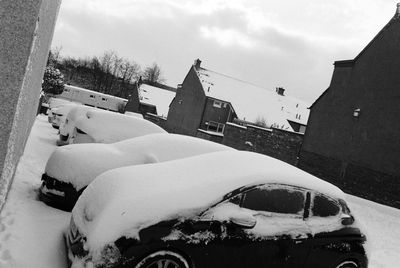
(26, 30)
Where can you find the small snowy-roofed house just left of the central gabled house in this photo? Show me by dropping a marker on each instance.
(155, 100)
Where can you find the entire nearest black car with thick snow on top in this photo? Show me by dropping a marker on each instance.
(223, 209)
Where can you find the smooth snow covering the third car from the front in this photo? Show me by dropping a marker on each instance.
(109, 127)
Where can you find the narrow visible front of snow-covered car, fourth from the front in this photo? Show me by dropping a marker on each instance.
(68, 126)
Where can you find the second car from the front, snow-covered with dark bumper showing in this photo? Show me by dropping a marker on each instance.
(72, 167)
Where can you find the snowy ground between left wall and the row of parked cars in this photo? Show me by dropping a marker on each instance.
(30, 231)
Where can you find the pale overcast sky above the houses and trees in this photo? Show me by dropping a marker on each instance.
(271, 43)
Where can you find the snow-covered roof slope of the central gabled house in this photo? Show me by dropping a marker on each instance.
(252, 102)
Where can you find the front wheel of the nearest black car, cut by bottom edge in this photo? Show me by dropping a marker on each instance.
(164, 259)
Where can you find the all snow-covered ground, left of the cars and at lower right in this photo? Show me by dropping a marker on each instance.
(31, 232)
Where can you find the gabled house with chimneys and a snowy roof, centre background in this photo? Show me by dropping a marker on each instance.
(207, 100)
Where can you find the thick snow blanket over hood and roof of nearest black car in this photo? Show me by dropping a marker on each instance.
(122, 201)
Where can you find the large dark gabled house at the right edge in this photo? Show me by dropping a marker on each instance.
(352, 137)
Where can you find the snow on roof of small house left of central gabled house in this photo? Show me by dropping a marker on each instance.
(161, 98)
